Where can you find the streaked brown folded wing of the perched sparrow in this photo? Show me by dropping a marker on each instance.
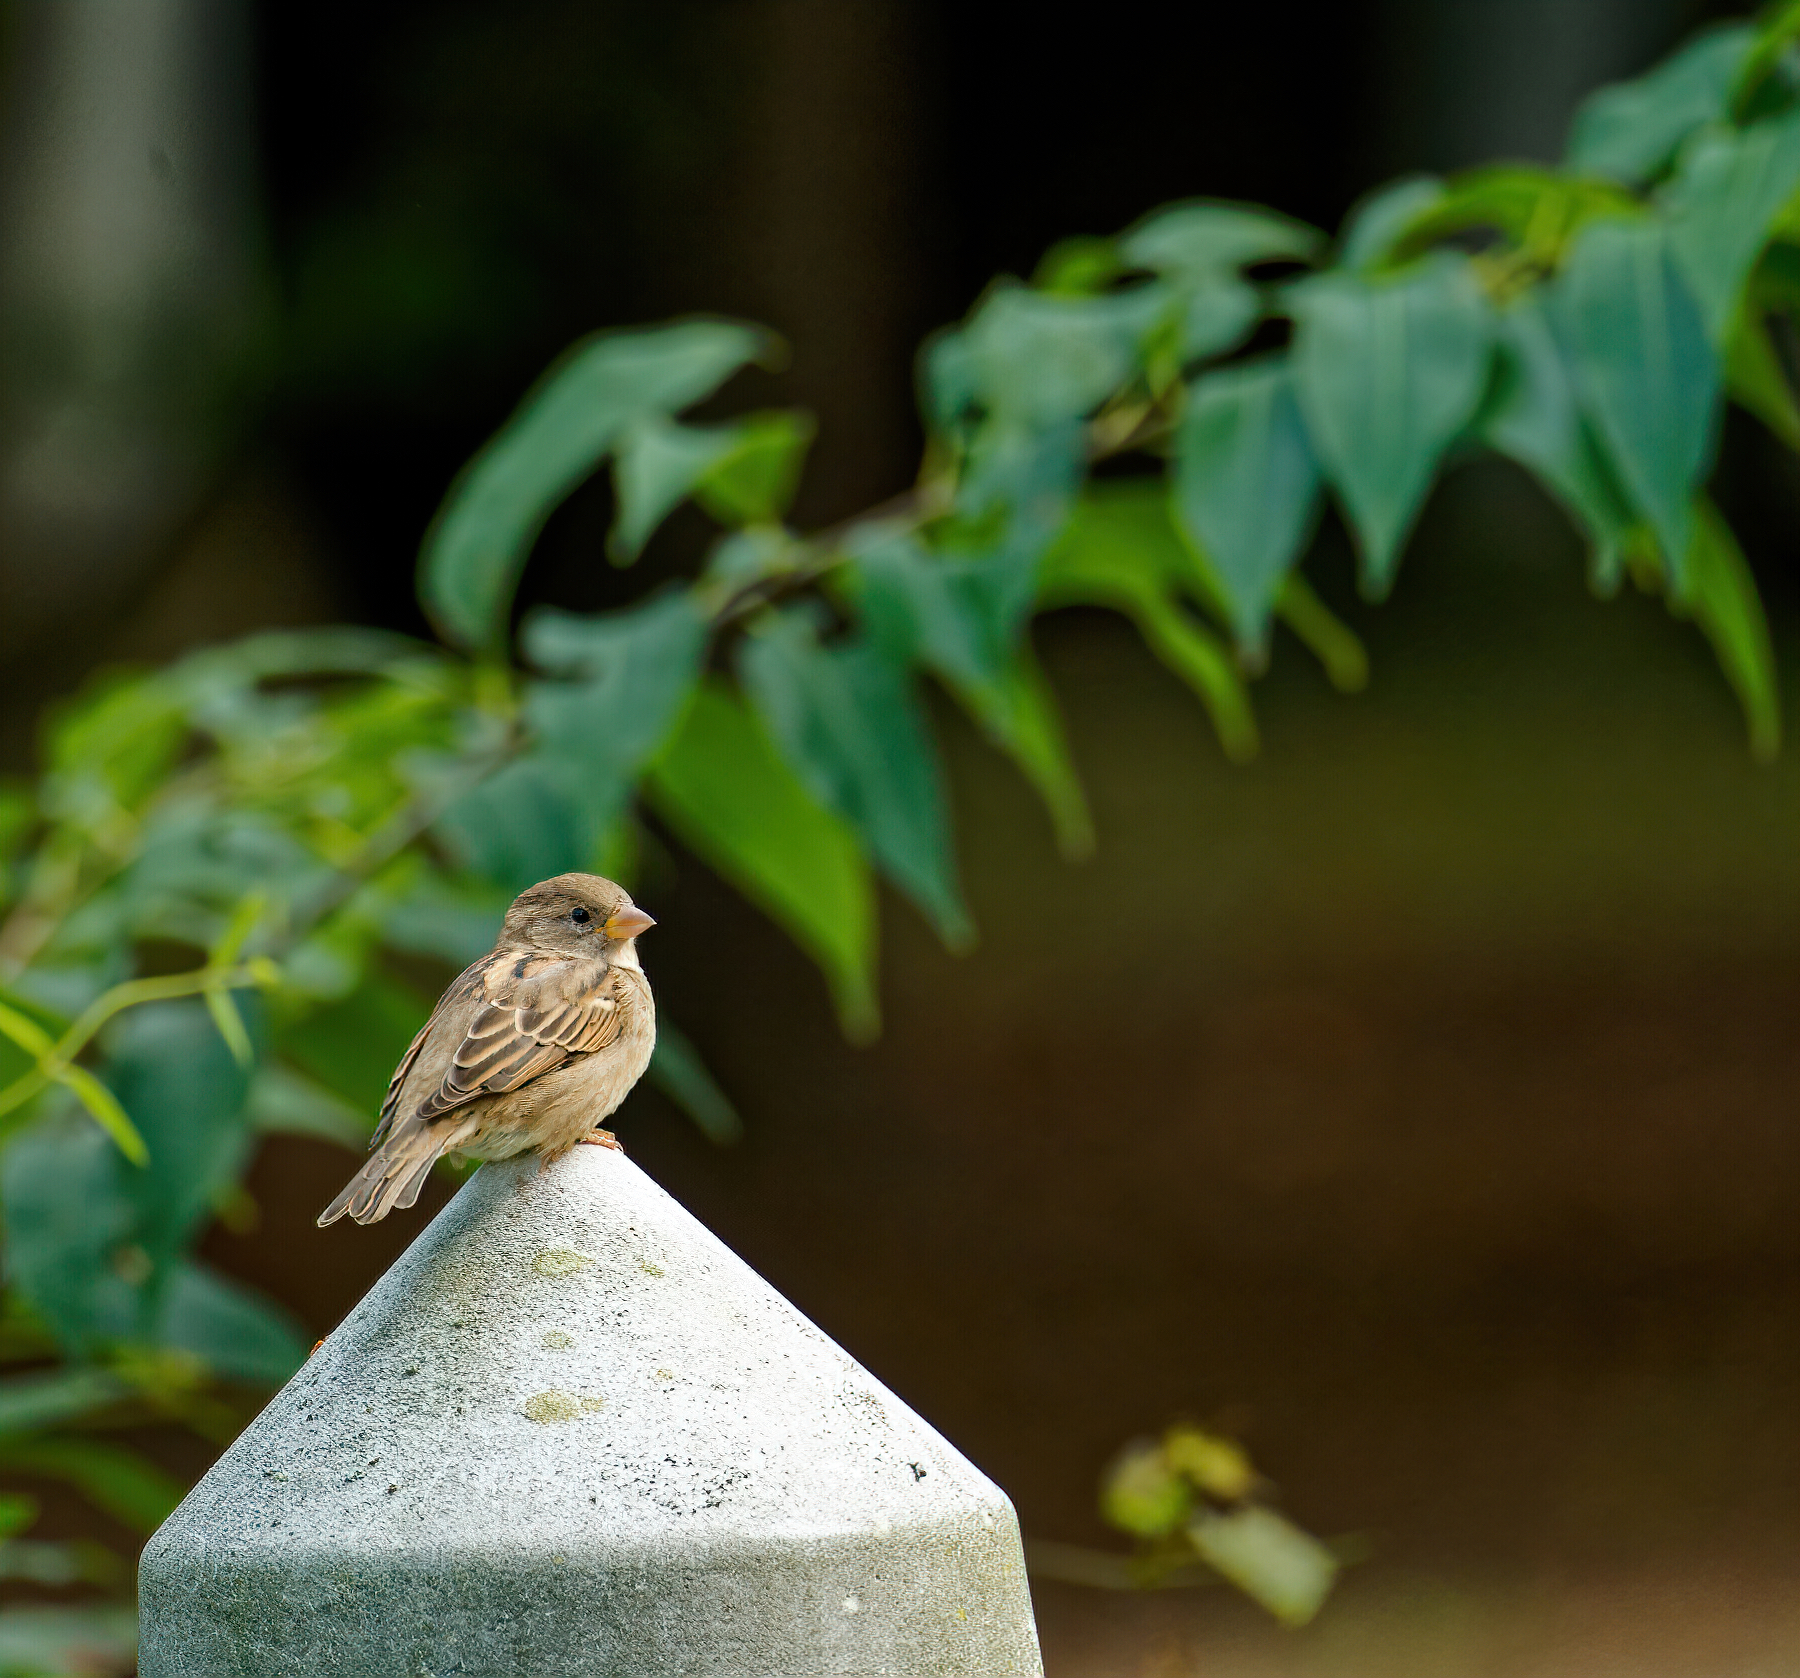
(534, 1015)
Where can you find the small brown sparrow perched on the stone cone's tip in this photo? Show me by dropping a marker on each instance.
(532, 1049)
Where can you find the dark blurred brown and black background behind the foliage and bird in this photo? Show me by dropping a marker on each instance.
(1417, 1103)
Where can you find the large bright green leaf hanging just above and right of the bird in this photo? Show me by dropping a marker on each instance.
(730, 798)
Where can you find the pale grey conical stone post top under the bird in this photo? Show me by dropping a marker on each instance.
(571, 1434)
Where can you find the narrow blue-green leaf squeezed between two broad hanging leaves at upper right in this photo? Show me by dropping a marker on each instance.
(1534, 419)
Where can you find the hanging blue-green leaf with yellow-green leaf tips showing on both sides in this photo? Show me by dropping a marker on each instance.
(1246, 485)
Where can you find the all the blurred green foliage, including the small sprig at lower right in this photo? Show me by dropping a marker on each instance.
(210, 881)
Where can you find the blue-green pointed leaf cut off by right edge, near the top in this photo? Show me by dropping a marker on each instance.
(1722, 204)
